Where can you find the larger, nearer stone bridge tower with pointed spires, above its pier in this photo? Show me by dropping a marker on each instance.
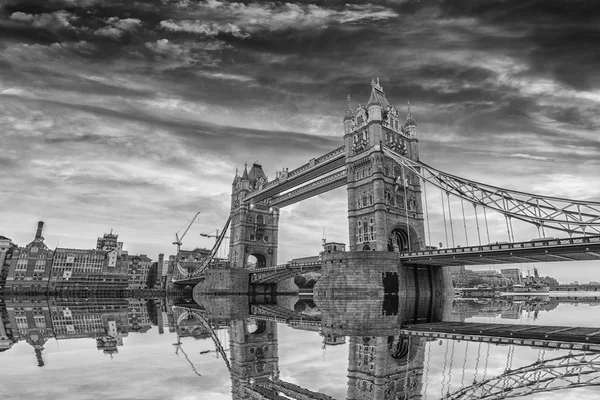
(385, 212)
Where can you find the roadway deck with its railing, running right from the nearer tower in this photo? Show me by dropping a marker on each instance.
(552, 250)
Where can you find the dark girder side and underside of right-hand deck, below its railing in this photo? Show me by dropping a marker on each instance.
(582, 252)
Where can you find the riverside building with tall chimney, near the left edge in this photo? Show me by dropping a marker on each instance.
(30, 266)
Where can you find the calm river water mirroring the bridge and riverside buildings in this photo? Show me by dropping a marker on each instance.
(153, 349)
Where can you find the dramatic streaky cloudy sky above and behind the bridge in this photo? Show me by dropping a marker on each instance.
(135, 115)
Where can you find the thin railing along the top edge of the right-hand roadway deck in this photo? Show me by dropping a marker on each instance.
(506, 246)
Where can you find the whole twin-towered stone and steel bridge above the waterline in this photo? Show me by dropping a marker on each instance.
(379, 163)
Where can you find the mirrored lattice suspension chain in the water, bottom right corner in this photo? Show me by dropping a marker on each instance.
(569, 372)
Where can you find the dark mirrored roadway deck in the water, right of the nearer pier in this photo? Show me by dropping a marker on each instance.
(535, 335)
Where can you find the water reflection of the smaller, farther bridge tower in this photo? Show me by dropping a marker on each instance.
(254, 356)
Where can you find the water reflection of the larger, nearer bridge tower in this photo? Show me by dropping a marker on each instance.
(388, 367)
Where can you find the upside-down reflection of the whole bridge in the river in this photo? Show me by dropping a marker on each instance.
(394, 364)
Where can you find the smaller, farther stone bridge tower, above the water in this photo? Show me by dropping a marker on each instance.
(254, 227)
